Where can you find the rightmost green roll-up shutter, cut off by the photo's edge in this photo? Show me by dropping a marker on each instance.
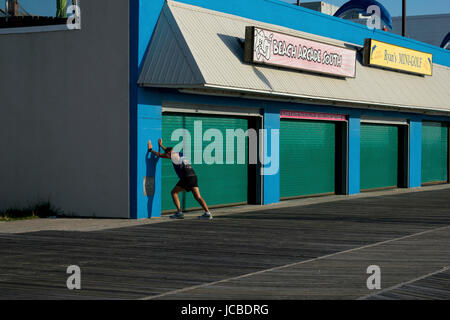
(434, 152)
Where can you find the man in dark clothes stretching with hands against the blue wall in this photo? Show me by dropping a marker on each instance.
(188, 179)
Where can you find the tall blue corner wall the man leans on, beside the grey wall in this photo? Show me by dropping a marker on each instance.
(145, 111)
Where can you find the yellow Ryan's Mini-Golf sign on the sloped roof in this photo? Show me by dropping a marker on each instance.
(388, 56)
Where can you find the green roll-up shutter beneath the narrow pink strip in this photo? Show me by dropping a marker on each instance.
(307, 158)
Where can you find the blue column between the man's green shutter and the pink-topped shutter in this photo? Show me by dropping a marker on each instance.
(271, 192)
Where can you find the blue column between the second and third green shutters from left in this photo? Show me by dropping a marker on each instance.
(354, 154)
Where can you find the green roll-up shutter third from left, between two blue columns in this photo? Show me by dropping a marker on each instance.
(379, 156)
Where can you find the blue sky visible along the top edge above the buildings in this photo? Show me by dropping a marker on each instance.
(414, 7)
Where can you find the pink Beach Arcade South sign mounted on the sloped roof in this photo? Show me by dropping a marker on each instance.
(281, 50)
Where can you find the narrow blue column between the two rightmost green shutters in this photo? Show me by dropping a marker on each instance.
(415, 153)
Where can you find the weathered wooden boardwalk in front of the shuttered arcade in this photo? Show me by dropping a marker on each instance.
(318, 251)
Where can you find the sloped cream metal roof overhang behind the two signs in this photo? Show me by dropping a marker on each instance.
(199, 51)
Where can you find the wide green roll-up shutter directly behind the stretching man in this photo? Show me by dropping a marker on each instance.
(219, 184)
